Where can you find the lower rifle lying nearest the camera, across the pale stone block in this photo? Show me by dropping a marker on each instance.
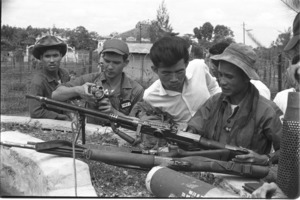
(118, 157)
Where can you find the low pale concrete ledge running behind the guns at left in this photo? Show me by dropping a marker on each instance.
(52, 124)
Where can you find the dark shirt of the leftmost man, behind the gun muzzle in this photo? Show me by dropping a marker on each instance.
(43, 85)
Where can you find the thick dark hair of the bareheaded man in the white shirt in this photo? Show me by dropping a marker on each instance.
(169, 50)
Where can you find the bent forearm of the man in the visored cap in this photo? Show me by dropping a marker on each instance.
(63, 93)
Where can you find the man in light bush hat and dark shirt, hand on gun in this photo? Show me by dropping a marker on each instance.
(238, 115)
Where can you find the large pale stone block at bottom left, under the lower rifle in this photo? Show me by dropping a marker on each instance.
(37, 174)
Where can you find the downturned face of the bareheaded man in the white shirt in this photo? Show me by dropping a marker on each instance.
(172, 77)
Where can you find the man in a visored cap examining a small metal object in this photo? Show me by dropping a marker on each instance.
(123, 91)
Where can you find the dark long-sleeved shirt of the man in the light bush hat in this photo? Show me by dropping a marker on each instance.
(260, 132)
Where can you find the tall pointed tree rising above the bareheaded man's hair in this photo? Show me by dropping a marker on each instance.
(161, 26)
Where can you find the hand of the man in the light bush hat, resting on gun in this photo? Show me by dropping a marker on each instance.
(252, 157)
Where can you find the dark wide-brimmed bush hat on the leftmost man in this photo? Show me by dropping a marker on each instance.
(49, 42)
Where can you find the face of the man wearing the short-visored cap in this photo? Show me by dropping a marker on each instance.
(113, 64)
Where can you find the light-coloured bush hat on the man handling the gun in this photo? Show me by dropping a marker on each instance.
(242, 56)
